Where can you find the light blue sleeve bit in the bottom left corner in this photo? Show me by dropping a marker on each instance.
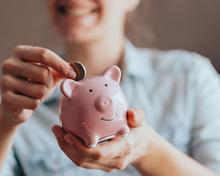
(10, 167)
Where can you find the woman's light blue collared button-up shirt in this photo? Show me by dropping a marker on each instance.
(179, 93)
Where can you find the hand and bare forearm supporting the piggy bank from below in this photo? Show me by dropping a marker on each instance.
(142, 147)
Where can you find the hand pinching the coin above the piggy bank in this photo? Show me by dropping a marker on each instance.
(27, 79)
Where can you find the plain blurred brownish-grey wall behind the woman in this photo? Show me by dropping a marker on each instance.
(184, 24)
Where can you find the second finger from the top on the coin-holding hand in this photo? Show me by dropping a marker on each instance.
(30, 71)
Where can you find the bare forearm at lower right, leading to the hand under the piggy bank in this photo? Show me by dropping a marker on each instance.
(165, 160)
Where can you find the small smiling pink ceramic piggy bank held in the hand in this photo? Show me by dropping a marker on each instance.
(94, 109)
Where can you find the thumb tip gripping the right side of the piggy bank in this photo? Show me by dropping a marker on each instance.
(135, 118)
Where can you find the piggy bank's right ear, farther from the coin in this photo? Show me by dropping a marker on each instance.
(113, 72)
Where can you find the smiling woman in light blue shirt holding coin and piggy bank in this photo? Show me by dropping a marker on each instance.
(178, 91)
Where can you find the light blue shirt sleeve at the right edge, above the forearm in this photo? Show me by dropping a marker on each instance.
(205, 141)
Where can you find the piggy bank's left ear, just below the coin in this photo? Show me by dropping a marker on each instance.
(67, 86)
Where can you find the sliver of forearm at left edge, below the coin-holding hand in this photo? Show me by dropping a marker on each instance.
(7, 133)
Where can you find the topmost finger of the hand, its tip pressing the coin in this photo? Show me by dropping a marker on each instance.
(46, 57)
